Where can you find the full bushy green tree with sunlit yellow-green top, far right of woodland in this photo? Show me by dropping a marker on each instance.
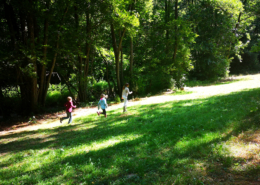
(216, 39)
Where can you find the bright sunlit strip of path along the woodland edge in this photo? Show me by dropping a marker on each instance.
(198, 92)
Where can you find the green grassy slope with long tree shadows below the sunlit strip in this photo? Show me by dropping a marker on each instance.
(176, 142)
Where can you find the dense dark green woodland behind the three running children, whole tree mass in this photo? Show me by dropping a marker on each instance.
(95, 46)
